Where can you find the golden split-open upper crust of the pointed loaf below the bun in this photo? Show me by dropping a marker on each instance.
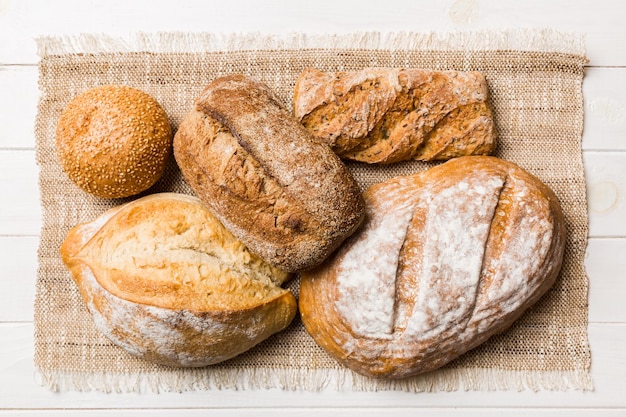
(186, 259)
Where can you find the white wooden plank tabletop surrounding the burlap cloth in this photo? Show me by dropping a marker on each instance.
(604, 144)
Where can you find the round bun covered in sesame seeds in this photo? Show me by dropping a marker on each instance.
(113, 141)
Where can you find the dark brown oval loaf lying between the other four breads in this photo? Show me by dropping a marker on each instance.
(288, 197)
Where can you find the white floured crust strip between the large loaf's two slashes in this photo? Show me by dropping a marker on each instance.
(457, 226)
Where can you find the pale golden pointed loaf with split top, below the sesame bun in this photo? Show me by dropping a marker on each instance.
(166, 281)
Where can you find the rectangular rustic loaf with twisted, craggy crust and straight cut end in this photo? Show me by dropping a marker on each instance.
(388, 115)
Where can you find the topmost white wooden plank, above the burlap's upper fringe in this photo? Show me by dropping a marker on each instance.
(20, 22)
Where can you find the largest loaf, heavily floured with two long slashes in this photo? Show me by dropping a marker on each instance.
(446, 259)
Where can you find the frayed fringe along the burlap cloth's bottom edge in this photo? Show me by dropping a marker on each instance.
(470, 379)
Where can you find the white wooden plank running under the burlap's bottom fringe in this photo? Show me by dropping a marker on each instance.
(20, 390)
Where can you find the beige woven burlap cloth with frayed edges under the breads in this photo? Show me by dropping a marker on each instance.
(536, 84)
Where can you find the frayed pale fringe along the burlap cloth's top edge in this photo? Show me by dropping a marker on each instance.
(543, 40)
